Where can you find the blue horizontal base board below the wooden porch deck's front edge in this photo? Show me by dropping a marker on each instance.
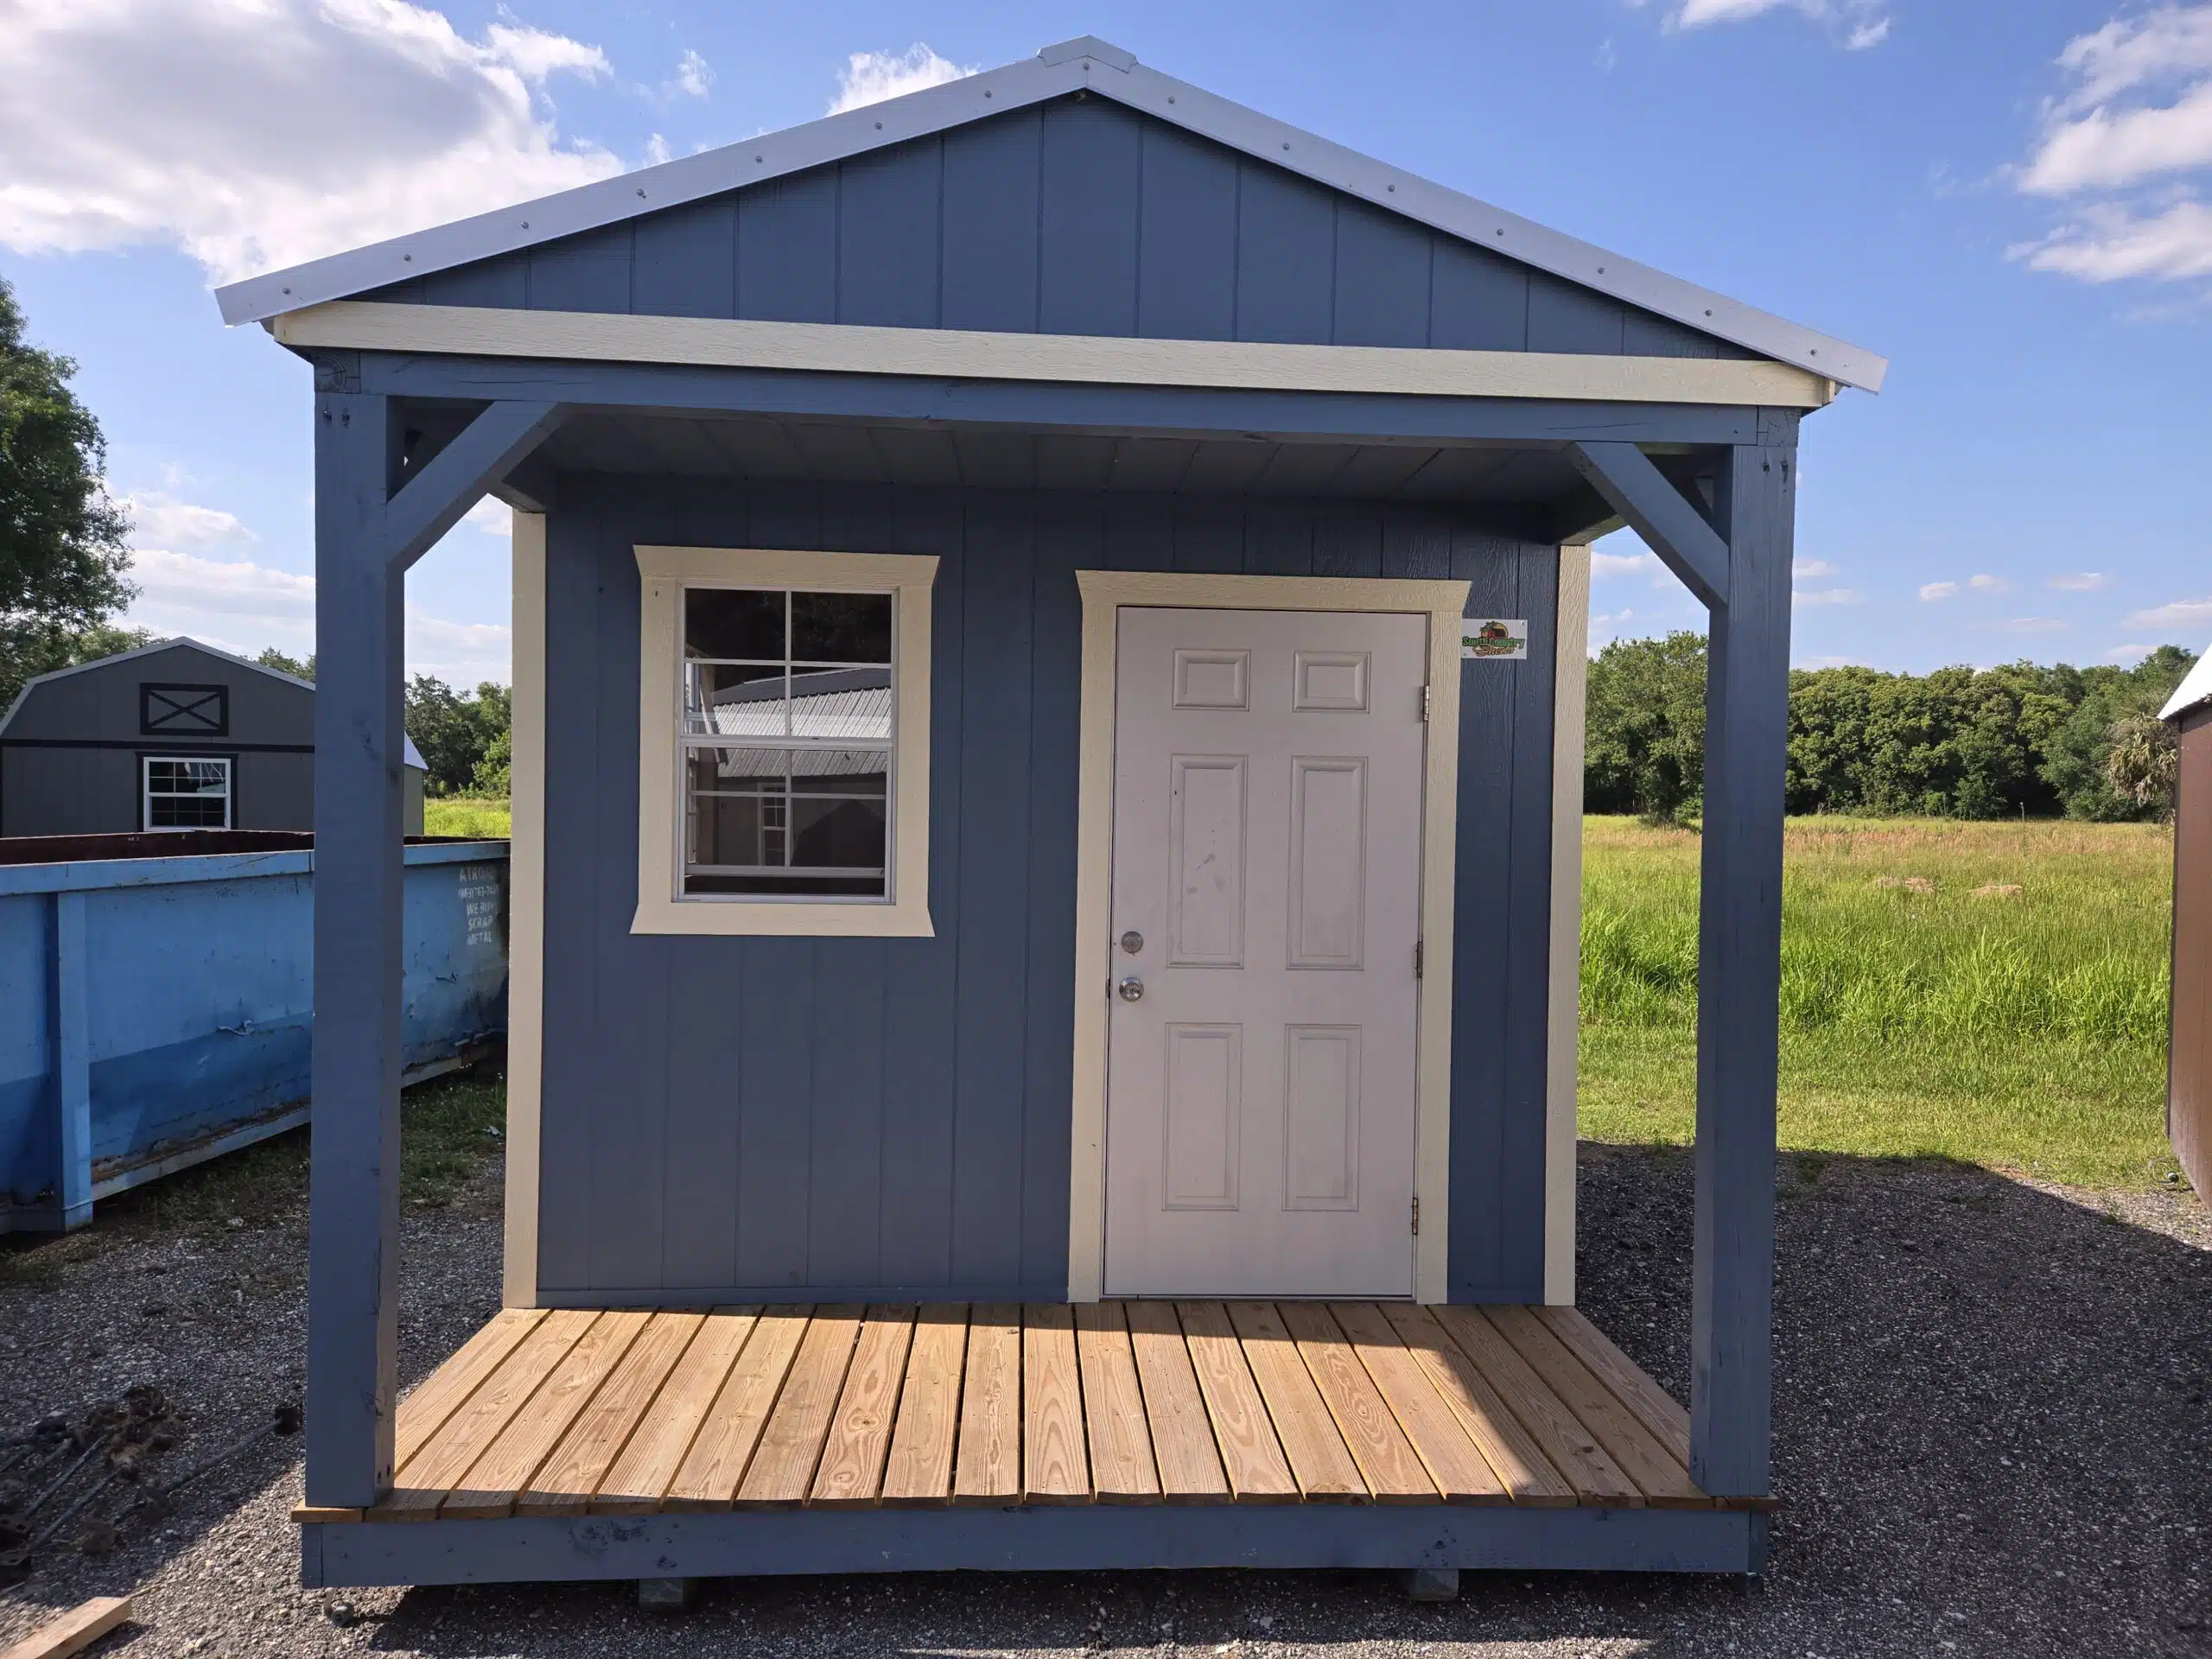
(1032, 1541)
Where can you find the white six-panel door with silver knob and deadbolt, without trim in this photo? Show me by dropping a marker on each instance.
(1266, 899)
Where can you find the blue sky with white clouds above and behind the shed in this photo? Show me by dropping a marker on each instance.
(2007, 200)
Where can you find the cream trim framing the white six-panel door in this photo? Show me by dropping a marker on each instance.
(1103, 596)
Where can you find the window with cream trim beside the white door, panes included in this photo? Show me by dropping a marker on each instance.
(784, 742)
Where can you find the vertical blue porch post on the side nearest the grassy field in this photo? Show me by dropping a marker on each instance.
(1740, 970)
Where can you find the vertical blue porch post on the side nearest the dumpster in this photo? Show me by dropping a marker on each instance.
(355, 1176)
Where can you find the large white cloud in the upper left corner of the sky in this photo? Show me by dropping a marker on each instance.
(258, 134)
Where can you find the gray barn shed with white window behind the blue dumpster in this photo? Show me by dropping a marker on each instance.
(176, 735)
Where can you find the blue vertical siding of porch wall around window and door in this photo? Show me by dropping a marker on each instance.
(806, 1118)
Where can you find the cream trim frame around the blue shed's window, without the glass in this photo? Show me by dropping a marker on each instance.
(662, 574)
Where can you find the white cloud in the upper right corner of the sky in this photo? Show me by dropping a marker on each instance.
(2138, 114)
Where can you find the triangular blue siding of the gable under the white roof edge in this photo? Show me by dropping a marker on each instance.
(1074, 218)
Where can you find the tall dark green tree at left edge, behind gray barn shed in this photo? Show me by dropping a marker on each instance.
(63, 552)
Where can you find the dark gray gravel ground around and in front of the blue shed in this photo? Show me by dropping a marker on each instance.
(1992, 1439)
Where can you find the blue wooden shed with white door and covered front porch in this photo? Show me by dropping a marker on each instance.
(1050, 632)
